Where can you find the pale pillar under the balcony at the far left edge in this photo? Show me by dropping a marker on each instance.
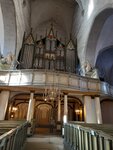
(4, 97)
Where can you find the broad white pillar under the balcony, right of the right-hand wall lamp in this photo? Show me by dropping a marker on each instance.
(89, 110)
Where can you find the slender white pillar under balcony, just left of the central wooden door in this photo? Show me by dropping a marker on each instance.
(31, 106)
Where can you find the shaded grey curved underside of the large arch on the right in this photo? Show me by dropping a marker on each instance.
(95, 32)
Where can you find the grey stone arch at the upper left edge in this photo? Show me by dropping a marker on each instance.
(9, 27)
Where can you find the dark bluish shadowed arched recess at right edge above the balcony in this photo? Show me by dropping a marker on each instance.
(104, 64)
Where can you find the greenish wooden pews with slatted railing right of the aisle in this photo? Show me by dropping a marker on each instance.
(88, 137)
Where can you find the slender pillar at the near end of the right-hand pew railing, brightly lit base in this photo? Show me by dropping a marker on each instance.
(65, 109)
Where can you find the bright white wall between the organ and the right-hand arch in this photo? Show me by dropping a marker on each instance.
(91, 9)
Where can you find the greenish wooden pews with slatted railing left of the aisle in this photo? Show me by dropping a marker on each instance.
(13, 134)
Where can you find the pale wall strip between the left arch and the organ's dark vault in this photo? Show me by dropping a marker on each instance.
(22, 21)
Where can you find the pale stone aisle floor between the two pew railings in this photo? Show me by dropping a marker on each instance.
(44, 142)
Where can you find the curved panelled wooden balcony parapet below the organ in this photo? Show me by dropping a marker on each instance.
(64, 80)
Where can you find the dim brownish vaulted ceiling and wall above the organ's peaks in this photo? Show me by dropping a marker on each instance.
(60, 13)
